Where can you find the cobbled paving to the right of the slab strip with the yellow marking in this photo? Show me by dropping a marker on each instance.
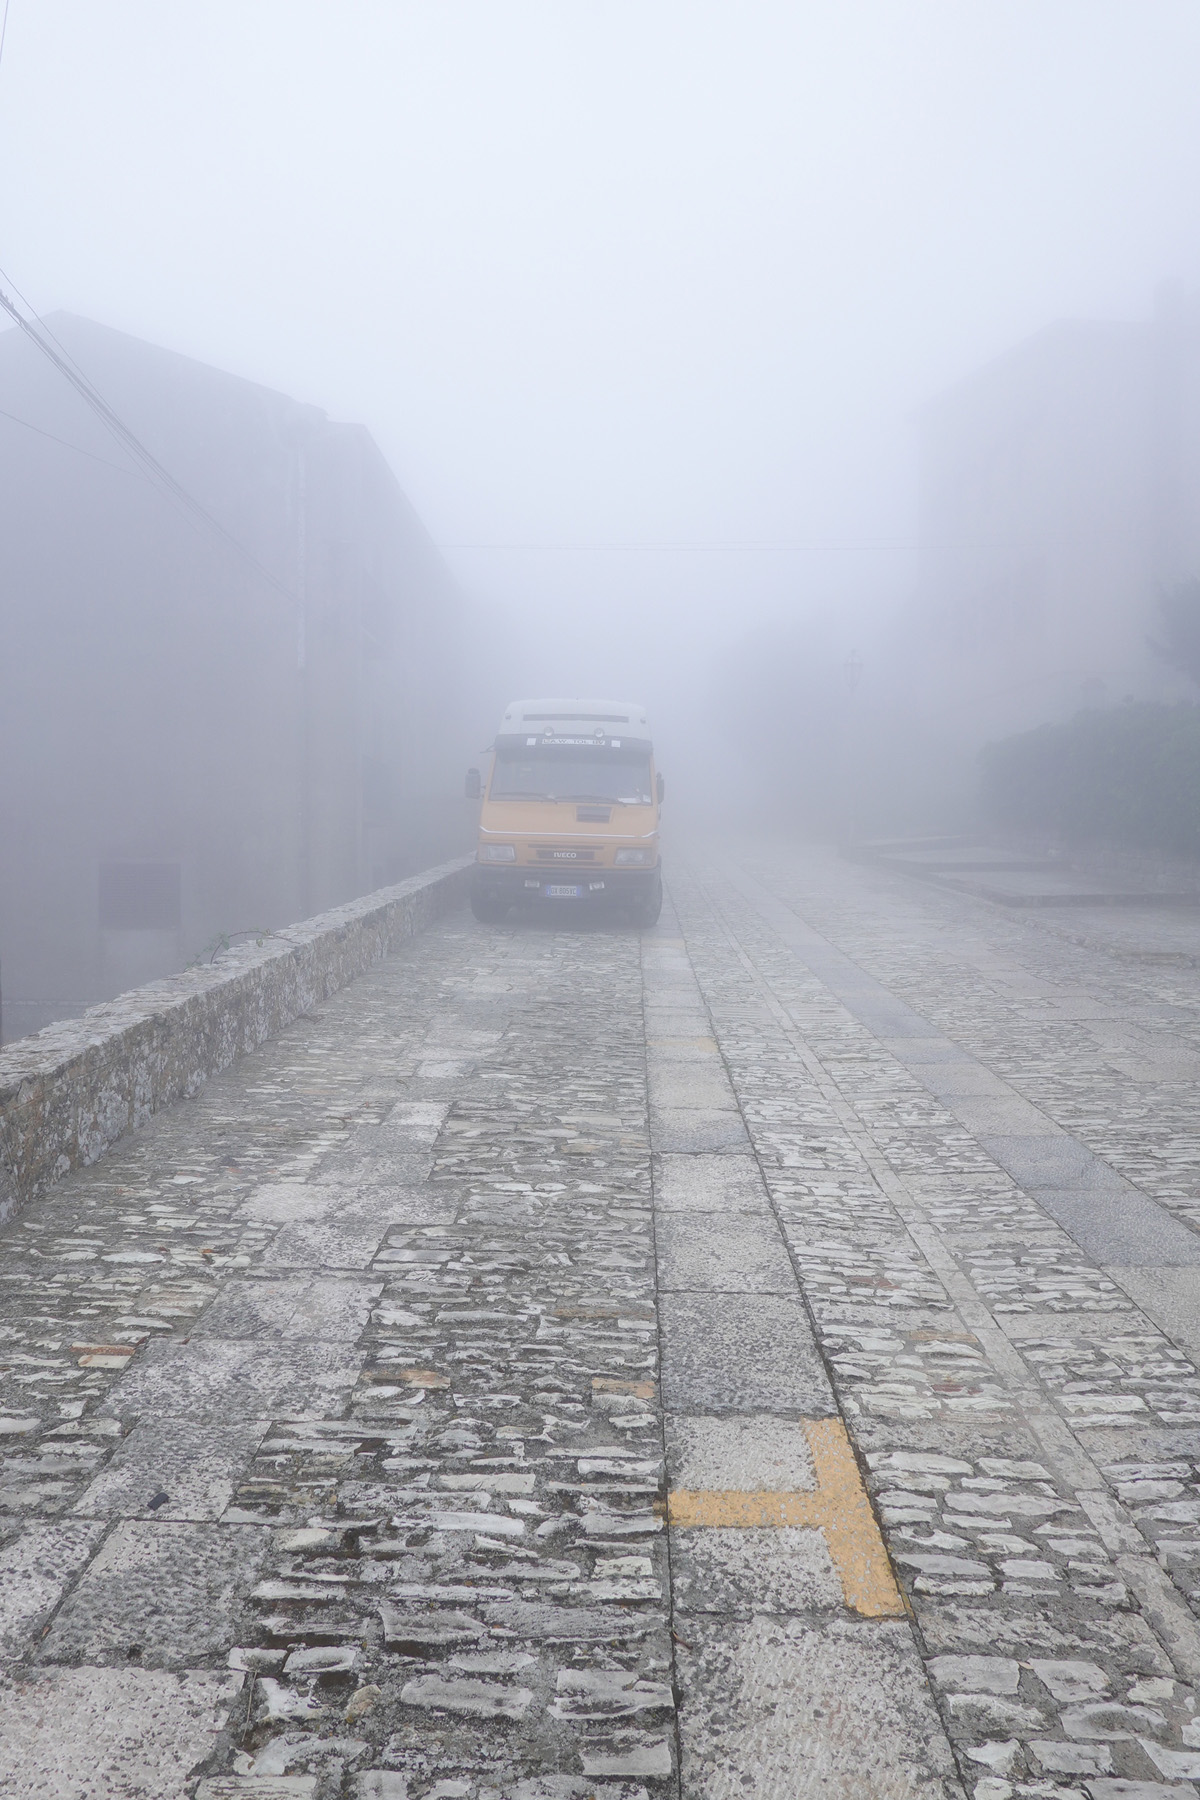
(983, 1147)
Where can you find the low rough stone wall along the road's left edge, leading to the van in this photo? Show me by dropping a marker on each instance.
(75, 1088)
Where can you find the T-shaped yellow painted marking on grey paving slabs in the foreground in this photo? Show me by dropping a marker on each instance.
(837, 1507)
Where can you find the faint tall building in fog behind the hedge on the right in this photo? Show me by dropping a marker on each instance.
(1061, 490)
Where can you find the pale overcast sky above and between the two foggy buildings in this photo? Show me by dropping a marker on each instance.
(611, 274)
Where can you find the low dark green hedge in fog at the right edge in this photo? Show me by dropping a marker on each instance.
(1129, 777)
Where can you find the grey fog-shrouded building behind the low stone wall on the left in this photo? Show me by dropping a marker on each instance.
(186, 750)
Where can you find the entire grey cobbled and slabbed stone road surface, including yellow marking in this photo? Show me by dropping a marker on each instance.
(755, 1356)
